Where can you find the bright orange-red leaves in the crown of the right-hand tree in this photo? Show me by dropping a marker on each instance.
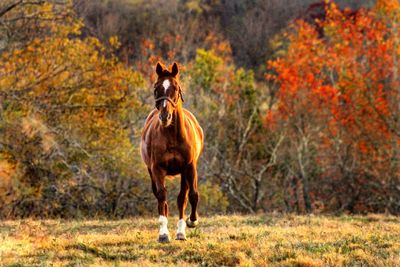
(348, 76)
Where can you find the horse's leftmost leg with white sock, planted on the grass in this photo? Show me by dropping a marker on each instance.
(158, 187)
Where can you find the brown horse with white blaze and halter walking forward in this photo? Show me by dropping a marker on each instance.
(171, 143)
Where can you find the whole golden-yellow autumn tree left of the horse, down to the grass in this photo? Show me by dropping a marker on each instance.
(67, 110)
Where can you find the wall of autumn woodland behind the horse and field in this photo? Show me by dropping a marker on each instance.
(299, 102)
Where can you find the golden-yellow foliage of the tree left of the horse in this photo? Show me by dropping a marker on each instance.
(81, 94)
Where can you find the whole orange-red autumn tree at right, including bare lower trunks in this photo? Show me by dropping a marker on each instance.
(338, 103)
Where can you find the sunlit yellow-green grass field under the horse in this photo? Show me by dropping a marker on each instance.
(263, 240)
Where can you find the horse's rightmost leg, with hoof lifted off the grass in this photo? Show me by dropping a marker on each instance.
(191, 175)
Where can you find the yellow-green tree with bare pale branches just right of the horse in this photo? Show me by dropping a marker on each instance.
(239, 153)
